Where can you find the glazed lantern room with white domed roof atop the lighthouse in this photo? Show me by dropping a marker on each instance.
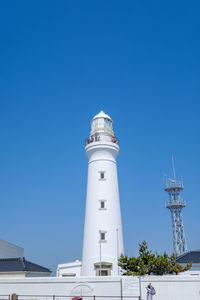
(102, 123)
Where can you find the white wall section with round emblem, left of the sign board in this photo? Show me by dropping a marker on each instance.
(73, 286)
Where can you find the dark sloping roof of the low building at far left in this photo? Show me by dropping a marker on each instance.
(20, 265)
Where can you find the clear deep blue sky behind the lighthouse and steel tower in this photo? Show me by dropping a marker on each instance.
(61, 62)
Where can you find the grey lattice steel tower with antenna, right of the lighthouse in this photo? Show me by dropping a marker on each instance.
(175, 204)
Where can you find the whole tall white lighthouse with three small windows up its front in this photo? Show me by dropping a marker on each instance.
(103, 238)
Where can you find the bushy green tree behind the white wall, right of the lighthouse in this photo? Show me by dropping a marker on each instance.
(150, 263)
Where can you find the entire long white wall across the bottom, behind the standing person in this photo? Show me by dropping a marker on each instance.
(167, 287)
